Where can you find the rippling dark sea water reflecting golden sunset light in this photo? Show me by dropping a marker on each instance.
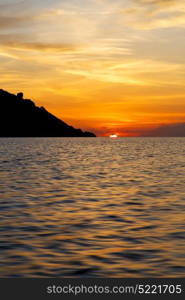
(92, 207)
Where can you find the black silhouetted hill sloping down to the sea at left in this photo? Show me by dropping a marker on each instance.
(20, 117)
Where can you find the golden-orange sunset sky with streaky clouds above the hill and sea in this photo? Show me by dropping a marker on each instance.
(109, 66)
